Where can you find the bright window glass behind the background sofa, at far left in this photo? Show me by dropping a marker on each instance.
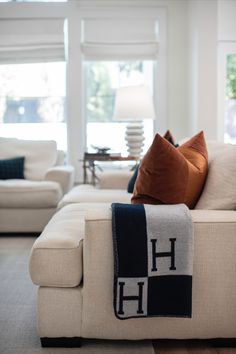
(32, 101)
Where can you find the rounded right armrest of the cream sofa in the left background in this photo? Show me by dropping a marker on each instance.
(64, 175)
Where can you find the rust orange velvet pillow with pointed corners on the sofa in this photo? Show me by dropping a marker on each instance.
(170, 176)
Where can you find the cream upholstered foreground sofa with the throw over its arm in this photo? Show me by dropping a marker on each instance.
(72, 263)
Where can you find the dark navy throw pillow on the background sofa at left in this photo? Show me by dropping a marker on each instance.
(12, 168)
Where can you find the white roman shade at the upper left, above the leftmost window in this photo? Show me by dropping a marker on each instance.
(31, 40)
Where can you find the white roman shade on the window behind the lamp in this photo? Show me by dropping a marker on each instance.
(119, 38)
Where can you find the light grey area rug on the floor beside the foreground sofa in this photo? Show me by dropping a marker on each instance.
(18, 333)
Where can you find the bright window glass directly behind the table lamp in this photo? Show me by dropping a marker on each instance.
(102, 78)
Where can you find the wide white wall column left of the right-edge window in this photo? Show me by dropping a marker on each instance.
(202, 77)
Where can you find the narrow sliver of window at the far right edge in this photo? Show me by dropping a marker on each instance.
(230, 104)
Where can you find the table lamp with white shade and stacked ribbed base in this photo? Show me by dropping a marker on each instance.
(133, 104)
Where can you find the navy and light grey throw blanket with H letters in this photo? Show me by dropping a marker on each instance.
(153, 251)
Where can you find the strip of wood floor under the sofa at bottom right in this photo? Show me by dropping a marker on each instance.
(189, 347)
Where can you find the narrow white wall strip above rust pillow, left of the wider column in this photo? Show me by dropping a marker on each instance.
(177, 90)
